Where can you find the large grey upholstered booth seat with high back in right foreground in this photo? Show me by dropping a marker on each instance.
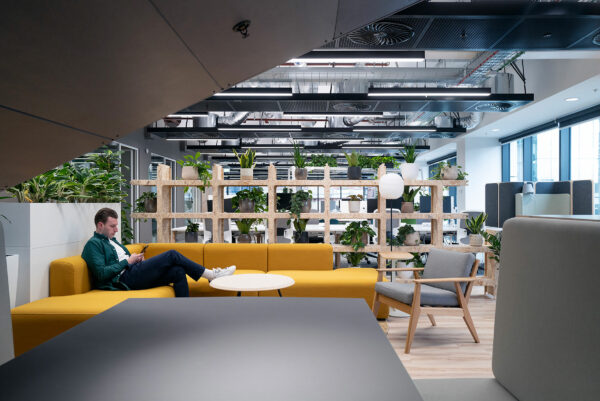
(546, 330)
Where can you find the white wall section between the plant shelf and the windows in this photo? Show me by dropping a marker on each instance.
(481, 158)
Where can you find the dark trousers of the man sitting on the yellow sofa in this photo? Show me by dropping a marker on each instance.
(164, 269)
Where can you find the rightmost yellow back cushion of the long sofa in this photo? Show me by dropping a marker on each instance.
(300, 257)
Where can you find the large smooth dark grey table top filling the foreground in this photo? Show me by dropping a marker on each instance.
(303, 349)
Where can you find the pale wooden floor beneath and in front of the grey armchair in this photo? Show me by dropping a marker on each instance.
(448, 350)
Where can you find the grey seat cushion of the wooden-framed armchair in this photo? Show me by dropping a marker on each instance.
(430, 296)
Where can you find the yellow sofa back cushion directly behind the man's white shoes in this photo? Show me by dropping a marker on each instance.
(244, 256)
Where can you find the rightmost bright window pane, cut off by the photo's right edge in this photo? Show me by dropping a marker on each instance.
(585, 155)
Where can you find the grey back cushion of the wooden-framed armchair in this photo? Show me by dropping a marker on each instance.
(444, 264)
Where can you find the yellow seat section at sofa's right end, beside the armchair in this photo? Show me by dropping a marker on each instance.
(339, 283)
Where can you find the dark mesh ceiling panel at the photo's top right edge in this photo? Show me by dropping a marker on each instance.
(549, 32)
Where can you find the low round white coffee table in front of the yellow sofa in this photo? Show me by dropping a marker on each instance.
(252, 282)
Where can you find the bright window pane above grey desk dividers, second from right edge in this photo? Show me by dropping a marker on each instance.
(545, 160)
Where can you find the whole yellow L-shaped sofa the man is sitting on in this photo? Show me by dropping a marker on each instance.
(72, 299)
